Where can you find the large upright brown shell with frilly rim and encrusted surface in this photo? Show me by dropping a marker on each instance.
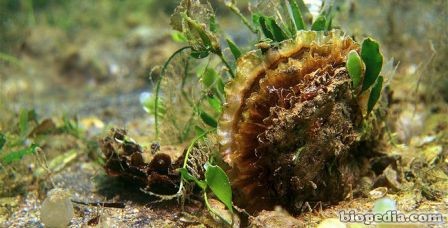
(289, 123)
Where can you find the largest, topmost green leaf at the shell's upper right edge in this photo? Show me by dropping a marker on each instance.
(370, 54)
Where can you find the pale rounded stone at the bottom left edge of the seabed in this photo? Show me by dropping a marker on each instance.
(57, 209)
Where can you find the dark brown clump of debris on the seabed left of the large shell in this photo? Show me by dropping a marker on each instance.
(151, 170)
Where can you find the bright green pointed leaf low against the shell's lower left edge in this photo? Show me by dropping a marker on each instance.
(219, 183)
